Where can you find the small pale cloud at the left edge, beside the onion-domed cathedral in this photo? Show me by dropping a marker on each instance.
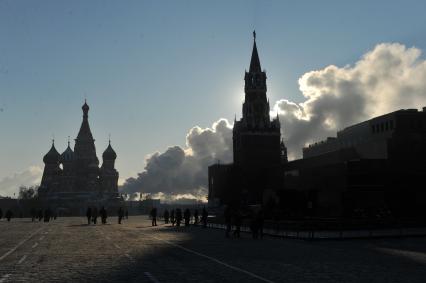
(10, 184)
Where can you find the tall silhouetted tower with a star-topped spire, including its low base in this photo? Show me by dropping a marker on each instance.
(258, 150)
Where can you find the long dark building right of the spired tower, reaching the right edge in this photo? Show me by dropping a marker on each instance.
(369, 168)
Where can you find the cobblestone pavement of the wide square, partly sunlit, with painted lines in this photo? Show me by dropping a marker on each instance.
(68, 250)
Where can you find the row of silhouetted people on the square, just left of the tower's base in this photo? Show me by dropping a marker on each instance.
(175, 217)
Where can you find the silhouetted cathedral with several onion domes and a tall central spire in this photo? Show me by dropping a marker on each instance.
(73, 180)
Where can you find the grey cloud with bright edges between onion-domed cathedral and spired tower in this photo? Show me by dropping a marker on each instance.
(183, 171)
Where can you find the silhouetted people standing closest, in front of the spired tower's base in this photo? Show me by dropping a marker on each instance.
(234, 217)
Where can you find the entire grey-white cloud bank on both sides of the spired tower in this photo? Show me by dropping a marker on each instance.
(385, 79)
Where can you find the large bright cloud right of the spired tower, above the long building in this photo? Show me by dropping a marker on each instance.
(385, 79)
